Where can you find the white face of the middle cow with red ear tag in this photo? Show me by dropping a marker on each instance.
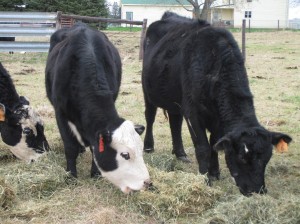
(131, 174)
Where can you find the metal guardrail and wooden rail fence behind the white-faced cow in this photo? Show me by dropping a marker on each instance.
(22, 24)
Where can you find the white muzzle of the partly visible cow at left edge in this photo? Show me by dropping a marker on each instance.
(23, 152)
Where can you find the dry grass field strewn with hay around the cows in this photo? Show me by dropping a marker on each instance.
(42, 192)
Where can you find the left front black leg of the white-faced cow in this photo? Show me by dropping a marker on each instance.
(71, 145)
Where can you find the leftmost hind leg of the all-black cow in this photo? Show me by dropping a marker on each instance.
(150, 112)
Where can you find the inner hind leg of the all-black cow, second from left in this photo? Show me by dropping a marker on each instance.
(175, 121)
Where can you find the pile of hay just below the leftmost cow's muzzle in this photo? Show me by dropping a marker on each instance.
(38, 179)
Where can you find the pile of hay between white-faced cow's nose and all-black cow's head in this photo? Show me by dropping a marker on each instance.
(176, 193)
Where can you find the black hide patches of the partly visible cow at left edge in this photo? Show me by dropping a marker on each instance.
(16, 110)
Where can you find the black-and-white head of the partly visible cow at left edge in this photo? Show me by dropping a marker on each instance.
(23, 130)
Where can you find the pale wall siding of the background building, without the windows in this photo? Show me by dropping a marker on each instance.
(264, 13)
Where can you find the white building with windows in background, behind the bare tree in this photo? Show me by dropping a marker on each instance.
(261, 13)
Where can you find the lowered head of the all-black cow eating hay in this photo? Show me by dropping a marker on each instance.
(247, 153)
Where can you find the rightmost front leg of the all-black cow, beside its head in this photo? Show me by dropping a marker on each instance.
(213, 170)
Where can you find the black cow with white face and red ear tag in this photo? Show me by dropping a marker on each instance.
(83, 76)
